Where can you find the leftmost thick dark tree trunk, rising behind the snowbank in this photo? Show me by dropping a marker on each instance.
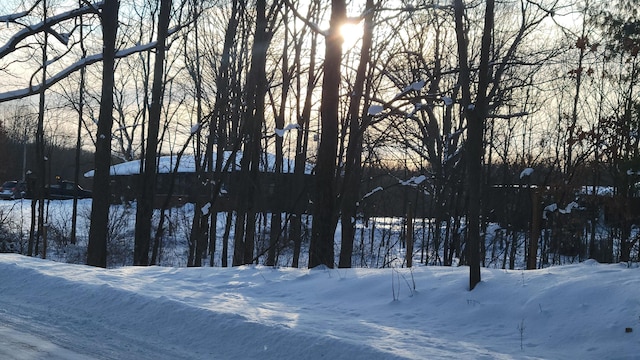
(97, 247)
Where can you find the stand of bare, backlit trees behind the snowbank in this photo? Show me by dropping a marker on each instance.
(482, 125)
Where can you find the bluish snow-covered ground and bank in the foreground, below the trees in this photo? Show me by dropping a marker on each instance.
(51, 310)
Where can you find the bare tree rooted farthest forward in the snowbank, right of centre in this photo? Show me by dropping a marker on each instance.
(491, 89)
